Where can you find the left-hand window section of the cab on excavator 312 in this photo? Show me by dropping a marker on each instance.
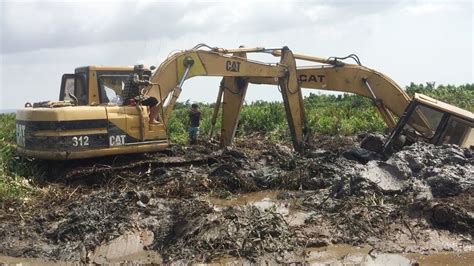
(73, 86)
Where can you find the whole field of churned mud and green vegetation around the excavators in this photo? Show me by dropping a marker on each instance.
(331, 198)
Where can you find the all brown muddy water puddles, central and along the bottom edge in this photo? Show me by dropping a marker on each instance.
(131, 246)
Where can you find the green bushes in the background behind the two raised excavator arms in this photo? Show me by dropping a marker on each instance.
(326, 114)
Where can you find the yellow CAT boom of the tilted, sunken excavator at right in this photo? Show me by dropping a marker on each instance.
(389, 98)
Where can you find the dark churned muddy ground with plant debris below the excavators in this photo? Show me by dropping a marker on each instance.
(189, 203)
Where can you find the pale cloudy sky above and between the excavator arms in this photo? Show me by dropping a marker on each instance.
(408, 40)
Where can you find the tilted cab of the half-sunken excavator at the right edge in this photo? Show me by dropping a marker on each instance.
(444, 124)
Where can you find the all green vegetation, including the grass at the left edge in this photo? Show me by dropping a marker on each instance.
(326, 114)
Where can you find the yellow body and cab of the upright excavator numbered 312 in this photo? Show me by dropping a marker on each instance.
(89, 120)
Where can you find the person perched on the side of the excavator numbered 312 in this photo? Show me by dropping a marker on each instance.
(132, 92)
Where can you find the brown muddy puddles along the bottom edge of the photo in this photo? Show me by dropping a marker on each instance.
(333, 255)
